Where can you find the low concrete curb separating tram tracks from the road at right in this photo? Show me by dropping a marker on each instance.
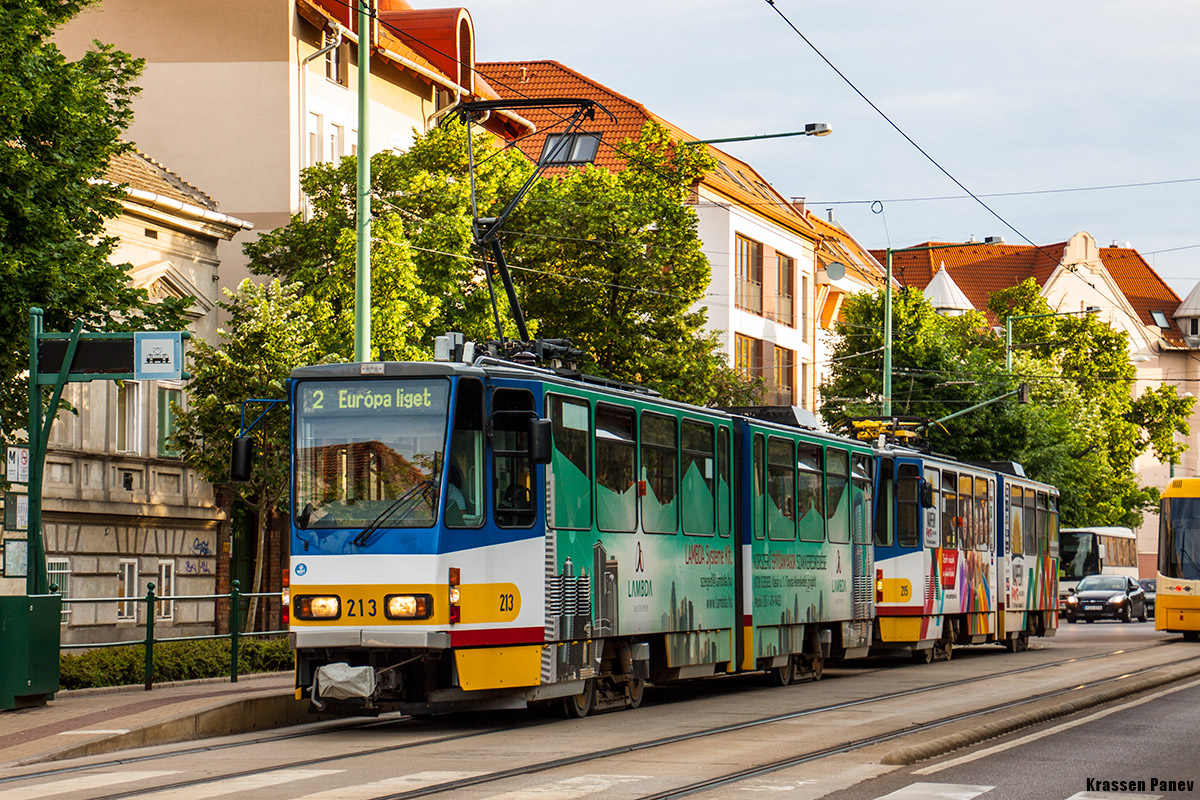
(1090, 699)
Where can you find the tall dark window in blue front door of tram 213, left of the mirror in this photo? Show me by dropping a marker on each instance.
(512, 472)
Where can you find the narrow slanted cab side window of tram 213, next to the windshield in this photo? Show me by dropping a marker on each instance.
(465, 476)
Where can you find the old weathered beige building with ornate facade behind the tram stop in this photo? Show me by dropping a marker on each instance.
(121, 508)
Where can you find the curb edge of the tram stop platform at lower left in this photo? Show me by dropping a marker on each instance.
(242, 715)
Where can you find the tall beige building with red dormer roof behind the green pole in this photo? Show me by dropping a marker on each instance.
(241, 97)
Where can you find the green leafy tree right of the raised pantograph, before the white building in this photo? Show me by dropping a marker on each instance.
(613, 261)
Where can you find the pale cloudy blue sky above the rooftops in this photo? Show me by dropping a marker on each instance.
(1019, 99)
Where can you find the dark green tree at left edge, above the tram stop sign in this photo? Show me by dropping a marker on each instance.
(61, 125)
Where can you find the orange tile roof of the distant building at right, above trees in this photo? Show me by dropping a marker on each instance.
(981, 270)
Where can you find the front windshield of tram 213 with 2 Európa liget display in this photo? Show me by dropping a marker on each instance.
(369, 453)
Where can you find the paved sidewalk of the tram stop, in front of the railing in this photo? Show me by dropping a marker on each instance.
(92, 721)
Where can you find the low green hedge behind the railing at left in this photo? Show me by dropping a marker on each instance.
(172, 661)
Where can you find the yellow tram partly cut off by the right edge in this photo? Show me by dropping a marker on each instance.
(1178, 606)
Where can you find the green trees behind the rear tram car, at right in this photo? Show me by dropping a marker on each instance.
(1083, 429)
